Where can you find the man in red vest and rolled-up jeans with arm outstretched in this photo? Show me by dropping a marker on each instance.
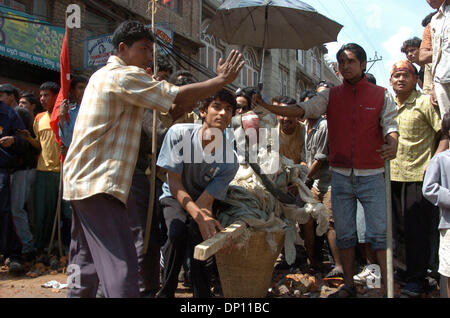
(362, 134)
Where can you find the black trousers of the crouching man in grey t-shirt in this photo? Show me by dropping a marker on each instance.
(183, 235)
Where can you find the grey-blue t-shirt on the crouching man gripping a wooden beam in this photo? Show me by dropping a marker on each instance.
(182, 152)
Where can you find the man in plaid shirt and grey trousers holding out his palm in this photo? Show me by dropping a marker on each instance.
(103, 153)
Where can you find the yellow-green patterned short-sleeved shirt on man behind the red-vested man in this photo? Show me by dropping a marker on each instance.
(418, 124)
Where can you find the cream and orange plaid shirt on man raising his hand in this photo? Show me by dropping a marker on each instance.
(106, 137)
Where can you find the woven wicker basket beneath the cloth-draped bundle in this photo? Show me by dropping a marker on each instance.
(247, 272)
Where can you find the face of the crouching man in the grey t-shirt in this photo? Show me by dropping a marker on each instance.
(219, 114)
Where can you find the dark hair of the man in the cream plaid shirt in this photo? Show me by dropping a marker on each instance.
(129, 32)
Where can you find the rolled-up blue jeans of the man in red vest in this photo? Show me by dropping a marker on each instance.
(370, 191)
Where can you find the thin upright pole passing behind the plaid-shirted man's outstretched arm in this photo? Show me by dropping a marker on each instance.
(151, 200)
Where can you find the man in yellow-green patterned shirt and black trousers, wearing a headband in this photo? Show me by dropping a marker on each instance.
(419, 124)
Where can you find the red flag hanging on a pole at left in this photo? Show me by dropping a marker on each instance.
(65, 87)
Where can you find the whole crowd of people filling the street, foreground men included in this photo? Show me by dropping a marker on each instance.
(99, 164)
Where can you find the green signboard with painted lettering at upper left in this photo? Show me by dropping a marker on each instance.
(26, 38)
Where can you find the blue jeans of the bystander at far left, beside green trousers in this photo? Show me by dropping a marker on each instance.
(21, 182)
